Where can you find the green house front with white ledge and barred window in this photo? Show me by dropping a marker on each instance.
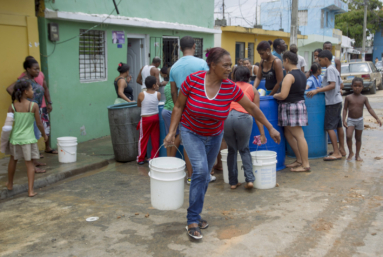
(93, 39)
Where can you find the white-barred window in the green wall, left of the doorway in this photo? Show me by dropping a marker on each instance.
(92, 55)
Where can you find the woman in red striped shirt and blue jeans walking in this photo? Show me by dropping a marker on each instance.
(201, 107)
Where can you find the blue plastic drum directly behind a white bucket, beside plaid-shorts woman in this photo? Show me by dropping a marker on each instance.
(269, 107)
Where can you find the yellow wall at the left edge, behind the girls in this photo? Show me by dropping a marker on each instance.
(19, 38)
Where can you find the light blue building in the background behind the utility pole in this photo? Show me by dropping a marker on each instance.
(316, 19)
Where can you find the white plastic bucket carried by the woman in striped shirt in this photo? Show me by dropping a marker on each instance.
(167, 183)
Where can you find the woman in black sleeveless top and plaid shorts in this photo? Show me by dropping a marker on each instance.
(292, 113)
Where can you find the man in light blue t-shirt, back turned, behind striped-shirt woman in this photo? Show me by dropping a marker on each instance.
(185, 66)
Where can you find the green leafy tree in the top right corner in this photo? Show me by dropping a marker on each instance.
(351, 22)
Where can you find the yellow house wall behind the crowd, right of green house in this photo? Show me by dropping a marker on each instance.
(230, 38)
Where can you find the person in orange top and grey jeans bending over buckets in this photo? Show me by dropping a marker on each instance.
(237, 131)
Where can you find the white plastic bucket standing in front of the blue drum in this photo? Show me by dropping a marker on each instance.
(264, 168)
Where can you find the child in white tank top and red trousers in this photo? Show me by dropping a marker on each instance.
(149, 125)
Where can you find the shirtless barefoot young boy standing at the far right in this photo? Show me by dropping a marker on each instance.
(354, 103)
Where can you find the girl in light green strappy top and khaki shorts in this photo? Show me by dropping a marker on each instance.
(23, 143)
